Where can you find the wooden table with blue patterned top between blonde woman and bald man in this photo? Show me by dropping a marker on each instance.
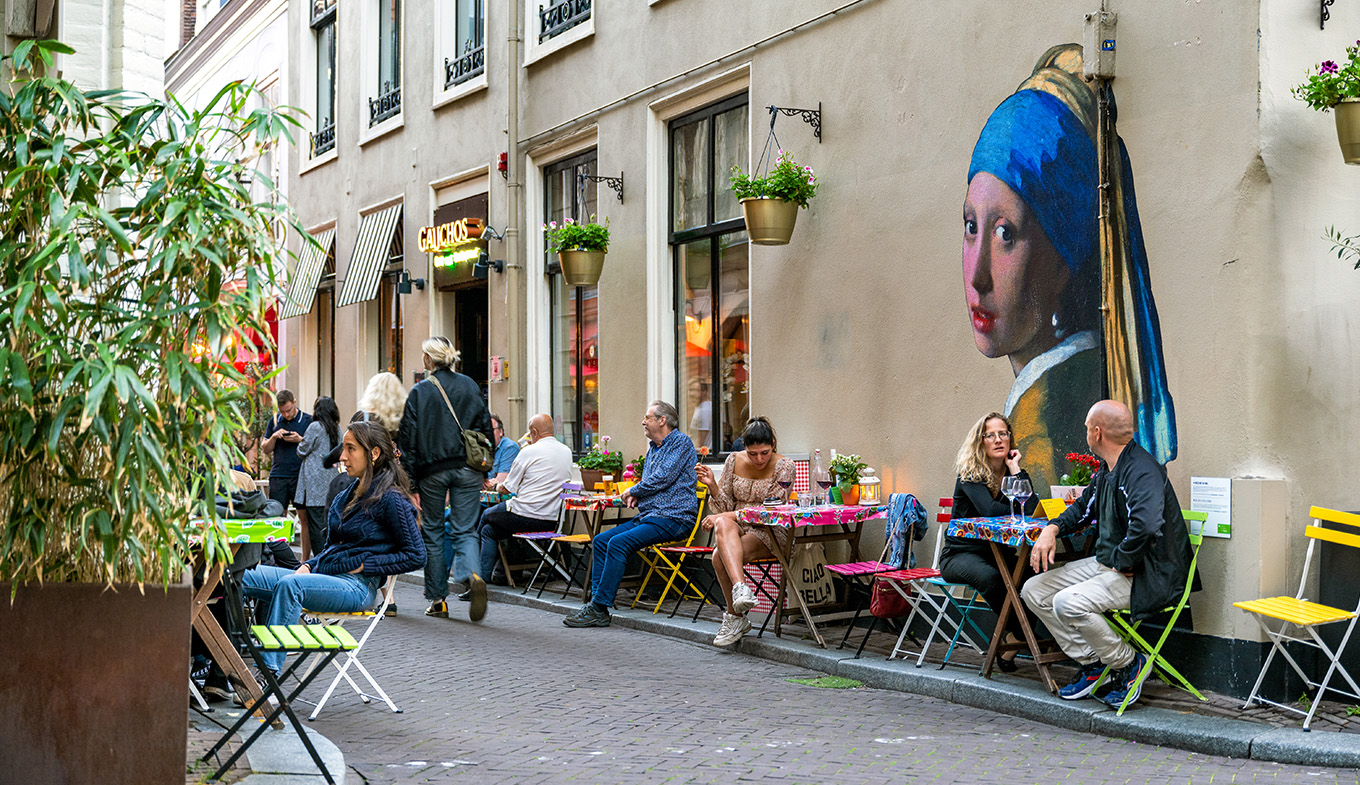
(1021, 534)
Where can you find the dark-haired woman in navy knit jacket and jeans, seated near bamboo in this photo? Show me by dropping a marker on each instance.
(373, 535)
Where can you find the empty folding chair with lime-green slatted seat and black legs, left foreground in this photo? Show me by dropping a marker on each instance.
(303, 640)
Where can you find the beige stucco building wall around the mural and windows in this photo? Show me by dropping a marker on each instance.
(860, 335)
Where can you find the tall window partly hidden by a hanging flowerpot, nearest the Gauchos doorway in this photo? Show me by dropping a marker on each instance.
(576, 312)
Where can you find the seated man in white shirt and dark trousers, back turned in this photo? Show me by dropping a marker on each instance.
(535, 480)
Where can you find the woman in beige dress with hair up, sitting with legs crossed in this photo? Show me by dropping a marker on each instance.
(750, 477)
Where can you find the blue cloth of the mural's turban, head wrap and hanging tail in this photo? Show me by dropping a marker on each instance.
(1037, 146)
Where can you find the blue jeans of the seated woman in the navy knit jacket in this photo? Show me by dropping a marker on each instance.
(290, 592)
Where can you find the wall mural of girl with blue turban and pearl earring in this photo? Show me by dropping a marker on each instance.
(1038, 265)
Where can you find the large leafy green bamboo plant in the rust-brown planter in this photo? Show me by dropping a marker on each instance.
(134, 258)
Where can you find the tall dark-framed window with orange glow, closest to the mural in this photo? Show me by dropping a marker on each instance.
(711, 251)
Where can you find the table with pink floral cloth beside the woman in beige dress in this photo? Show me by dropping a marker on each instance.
(819, 524)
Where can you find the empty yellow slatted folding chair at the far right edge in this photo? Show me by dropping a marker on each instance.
(1297, 614)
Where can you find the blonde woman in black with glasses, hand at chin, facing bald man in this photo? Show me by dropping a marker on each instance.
(985, 458)
